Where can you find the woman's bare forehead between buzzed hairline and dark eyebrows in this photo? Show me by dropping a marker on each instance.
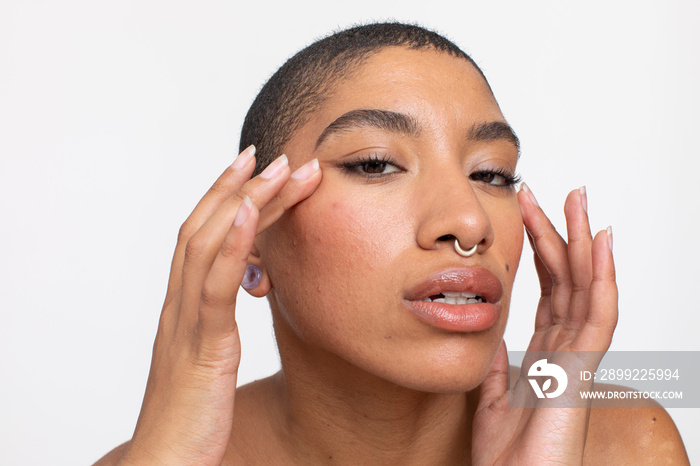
(440, 91)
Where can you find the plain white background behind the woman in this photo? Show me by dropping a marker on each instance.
(115, 117)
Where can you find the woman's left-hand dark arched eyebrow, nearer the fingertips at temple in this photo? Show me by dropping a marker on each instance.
(385, 120)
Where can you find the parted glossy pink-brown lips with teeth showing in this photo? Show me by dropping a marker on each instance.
(457, 300)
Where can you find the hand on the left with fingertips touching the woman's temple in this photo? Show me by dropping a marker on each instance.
(187, 411)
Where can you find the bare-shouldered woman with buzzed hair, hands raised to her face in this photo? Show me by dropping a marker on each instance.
(387, 241)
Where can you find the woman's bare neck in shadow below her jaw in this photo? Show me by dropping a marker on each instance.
(331, 409)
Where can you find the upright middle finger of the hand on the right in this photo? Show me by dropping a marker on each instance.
(580, 262)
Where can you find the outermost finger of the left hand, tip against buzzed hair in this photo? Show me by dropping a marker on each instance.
(229, 182)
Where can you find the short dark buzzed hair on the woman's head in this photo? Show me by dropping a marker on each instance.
(301, 85)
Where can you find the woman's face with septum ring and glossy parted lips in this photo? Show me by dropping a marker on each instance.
(427, 160)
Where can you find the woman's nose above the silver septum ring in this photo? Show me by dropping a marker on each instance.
(451, 209)
